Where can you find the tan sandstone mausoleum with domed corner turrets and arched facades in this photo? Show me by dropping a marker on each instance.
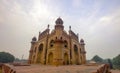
(57, 47)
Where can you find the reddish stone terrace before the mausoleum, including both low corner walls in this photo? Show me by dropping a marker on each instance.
(103, 68)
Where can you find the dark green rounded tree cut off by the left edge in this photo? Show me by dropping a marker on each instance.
(6, 57)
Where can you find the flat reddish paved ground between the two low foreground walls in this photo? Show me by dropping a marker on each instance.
(54, 69)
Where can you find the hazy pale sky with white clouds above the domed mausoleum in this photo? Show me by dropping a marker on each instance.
(96, 21)
